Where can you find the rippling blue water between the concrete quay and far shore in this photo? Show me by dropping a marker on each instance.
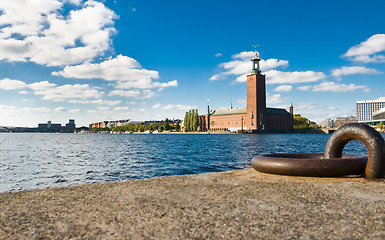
(38, 160)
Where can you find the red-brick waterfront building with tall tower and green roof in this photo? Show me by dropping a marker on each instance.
(256, 116)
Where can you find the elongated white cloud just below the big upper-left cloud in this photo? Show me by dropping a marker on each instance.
(125, 71)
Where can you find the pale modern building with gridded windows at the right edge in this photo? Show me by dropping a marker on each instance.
(371, 112)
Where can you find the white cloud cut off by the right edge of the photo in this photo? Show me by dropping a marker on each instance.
(368, 51)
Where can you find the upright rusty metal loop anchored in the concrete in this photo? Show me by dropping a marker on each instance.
(373, 141)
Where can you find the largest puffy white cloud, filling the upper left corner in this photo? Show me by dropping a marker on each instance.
(38, 31)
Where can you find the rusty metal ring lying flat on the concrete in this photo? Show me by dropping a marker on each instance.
(309, 164)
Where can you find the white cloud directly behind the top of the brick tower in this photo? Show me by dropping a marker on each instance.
(241, 66)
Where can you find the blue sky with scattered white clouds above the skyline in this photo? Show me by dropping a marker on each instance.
(144, 60)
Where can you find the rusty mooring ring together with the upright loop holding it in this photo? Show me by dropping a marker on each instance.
(332, 163)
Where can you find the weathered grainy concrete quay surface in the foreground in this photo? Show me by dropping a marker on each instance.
(241, 204)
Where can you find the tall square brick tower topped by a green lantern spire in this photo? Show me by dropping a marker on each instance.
(256, 97)
